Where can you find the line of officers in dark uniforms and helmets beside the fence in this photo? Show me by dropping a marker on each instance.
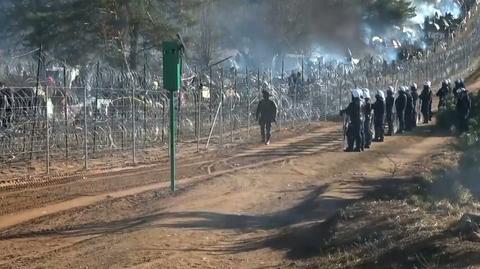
(400, 110)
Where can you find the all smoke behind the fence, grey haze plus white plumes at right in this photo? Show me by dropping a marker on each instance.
(261, 30)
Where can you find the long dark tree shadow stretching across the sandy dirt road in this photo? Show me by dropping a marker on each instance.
(304, 228)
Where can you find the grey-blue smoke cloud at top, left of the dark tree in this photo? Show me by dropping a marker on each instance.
(262, 29)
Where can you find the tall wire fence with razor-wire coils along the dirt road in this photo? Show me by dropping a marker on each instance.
(104, 114)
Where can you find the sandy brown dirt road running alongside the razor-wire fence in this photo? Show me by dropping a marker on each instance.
(238, 211)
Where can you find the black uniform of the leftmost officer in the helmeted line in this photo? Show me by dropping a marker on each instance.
(353, 111)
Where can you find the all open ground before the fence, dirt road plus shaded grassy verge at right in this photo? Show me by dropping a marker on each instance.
(298, 203)
